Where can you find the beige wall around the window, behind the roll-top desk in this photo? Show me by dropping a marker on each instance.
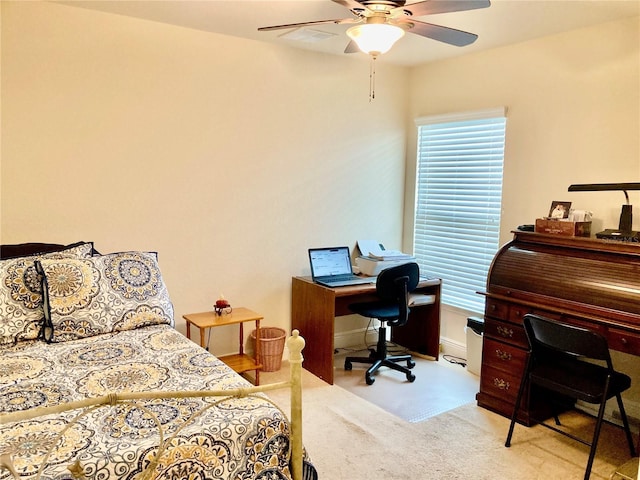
(573, 116)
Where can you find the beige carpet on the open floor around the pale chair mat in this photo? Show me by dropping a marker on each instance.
(350, 438)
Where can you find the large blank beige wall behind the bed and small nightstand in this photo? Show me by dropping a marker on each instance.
(229, 157)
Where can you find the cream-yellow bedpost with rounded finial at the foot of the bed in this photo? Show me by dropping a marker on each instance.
(295, 344)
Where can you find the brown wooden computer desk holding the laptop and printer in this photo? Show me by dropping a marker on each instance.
(315, 307)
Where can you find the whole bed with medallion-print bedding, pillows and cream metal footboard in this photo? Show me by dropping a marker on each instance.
(95, 383)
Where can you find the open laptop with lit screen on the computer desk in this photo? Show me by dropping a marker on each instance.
(331, 267)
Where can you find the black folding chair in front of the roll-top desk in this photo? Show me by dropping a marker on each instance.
(556, 362)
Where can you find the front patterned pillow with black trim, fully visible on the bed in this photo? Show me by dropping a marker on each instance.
(109, 293)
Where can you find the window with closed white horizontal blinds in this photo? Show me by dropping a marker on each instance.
(458, 201)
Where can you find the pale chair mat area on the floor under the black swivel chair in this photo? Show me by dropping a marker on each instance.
(439, 386)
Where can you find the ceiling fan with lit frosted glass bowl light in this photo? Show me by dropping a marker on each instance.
(374, 20)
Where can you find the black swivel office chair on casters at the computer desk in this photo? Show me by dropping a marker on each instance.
(393, 286)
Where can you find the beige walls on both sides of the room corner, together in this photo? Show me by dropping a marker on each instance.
(222, 153)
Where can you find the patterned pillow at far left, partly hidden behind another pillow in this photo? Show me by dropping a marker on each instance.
(21, 312)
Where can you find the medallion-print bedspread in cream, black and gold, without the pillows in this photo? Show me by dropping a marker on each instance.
(241, 438)
